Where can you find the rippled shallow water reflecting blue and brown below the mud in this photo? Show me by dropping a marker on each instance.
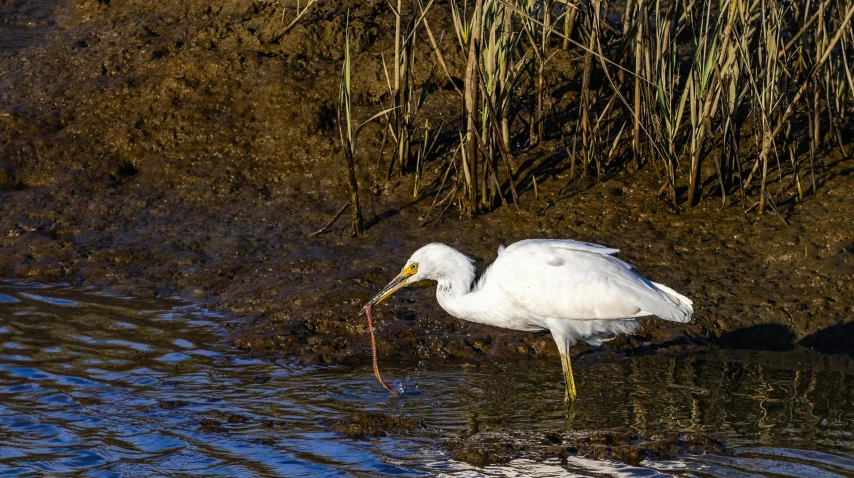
(111, 385)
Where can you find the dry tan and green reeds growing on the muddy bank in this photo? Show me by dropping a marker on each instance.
(730, 99)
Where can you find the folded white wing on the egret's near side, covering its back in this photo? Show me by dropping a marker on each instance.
(549, 281)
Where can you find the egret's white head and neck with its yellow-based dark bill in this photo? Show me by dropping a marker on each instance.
(432, 262)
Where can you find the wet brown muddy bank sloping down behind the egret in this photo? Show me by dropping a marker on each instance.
(181, 148)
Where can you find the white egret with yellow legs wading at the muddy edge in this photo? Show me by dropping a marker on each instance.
(576, 290)
